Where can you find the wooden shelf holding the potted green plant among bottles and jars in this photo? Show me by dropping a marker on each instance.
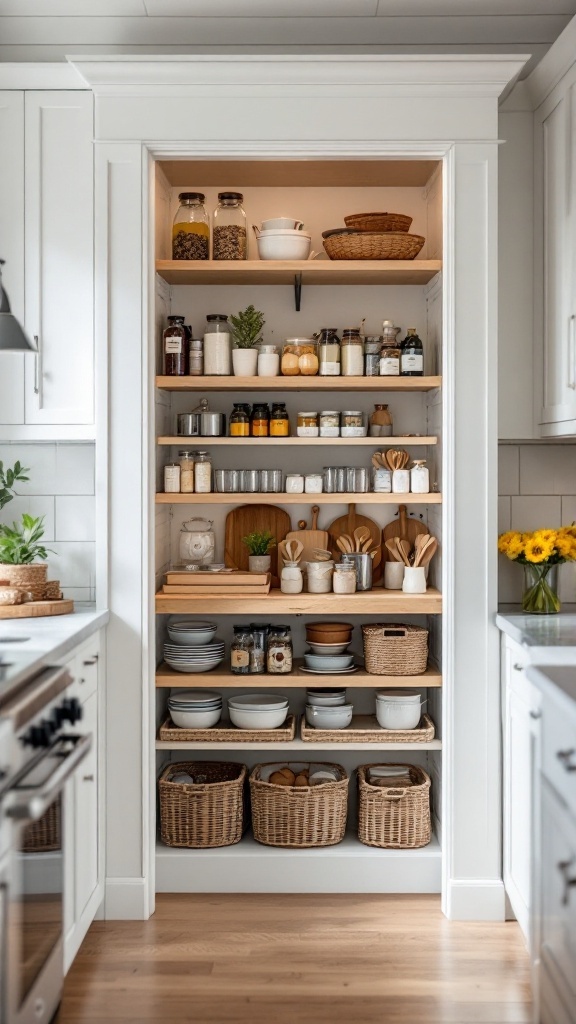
(300, 383)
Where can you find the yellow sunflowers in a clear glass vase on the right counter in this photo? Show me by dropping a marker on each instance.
(541, 553)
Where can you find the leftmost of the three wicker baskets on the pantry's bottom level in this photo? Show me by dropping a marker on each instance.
(207, 814)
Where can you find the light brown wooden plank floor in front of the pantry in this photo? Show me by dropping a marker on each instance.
(299, 960)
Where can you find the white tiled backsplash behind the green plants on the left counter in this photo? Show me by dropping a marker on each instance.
(62, 489)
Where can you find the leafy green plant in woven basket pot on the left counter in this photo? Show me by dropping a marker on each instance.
(20, 547)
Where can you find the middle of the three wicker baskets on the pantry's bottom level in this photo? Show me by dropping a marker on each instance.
(299, 819)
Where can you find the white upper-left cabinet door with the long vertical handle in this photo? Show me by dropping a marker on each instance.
(59, 223)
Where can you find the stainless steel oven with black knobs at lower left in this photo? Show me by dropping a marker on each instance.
(46, 754)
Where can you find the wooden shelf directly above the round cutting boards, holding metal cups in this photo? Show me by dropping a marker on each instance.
(242, 498)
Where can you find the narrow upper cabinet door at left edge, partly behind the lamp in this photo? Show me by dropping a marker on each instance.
(12, 246)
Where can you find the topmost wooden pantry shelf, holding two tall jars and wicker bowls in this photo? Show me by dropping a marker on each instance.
(419, 272)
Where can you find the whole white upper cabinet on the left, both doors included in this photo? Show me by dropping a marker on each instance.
(47, 238)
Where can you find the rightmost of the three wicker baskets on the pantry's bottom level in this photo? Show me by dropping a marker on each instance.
(395, 819)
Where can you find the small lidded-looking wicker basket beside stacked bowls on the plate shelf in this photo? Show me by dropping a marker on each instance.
(395, 650)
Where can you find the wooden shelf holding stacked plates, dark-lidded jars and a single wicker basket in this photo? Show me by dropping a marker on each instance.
(226, 679)
